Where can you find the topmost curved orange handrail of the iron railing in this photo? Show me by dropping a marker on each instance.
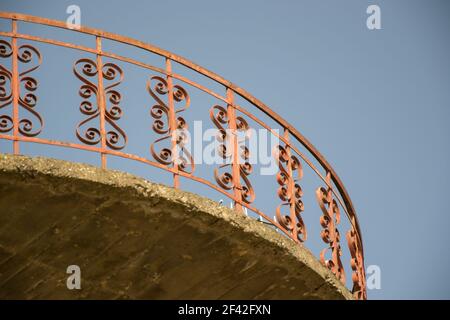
(215, 77)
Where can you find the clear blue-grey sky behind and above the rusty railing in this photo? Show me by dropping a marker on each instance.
(375, 103)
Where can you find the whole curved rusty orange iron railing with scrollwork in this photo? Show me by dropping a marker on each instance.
(99, 85)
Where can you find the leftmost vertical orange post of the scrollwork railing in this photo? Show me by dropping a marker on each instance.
(15, 87)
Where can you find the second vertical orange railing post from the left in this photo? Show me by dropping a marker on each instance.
(101, 99)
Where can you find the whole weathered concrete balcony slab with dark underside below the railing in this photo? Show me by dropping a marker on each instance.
(139, 240)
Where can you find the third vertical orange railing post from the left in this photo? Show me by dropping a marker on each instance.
(172, 124)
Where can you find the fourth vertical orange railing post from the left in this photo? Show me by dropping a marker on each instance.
(235, 164)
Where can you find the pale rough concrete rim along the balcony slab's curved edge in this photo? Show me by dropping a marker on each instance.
(288, 254)
